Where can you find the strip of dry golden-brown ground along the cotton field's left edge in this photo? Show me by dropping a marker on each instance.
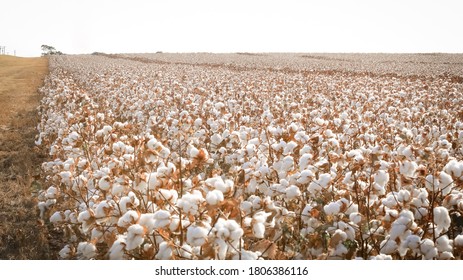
(22, 236)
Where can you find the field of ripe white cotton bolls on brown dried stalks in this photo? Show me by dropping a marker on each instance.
(167, 156)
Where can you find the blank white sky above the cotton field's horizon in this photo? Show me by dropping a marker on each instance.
(119, 26)
